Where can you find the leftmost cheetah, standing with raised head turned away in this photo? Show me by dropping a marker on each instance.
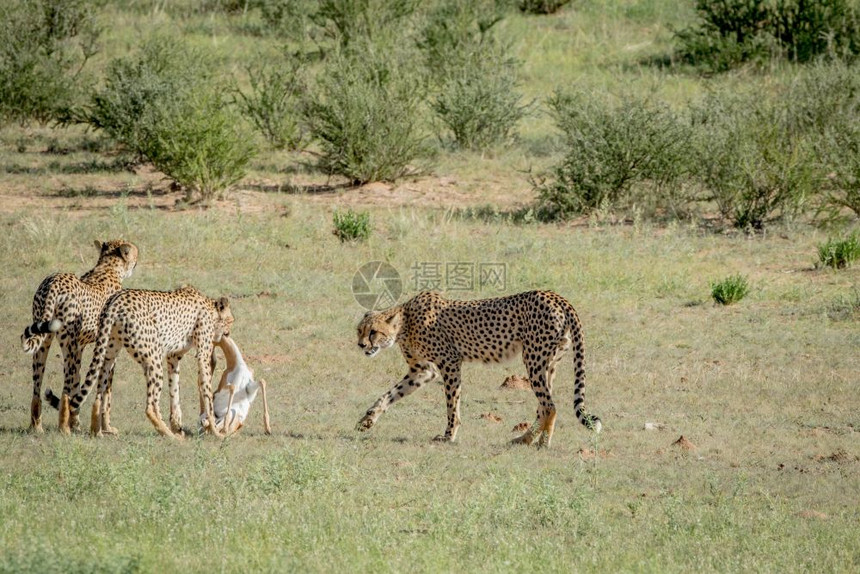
(68, 308)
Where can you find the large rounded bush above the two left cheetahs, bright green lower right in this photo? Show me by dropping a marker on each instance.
(163, 104)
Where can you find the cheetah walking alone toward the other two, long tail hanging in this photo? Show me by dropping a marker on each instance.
(436, 335)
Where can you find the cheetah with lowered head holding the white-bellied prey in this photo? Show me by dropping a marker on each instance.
(153, 325)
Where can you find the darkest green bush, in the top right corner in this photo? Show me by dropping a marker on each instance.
(731, 32)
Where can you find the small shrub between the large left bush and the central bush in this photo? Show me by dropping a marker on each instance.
(273, 104)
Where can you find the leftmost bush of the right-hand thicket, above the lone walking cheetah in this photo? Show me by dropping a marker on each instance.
(609, 148)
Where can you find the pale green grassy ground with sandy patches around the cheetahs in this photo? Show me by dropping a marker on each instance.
(766, 390)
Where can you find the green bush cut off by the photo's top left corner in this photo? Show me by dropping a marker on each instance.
(44, 45)
